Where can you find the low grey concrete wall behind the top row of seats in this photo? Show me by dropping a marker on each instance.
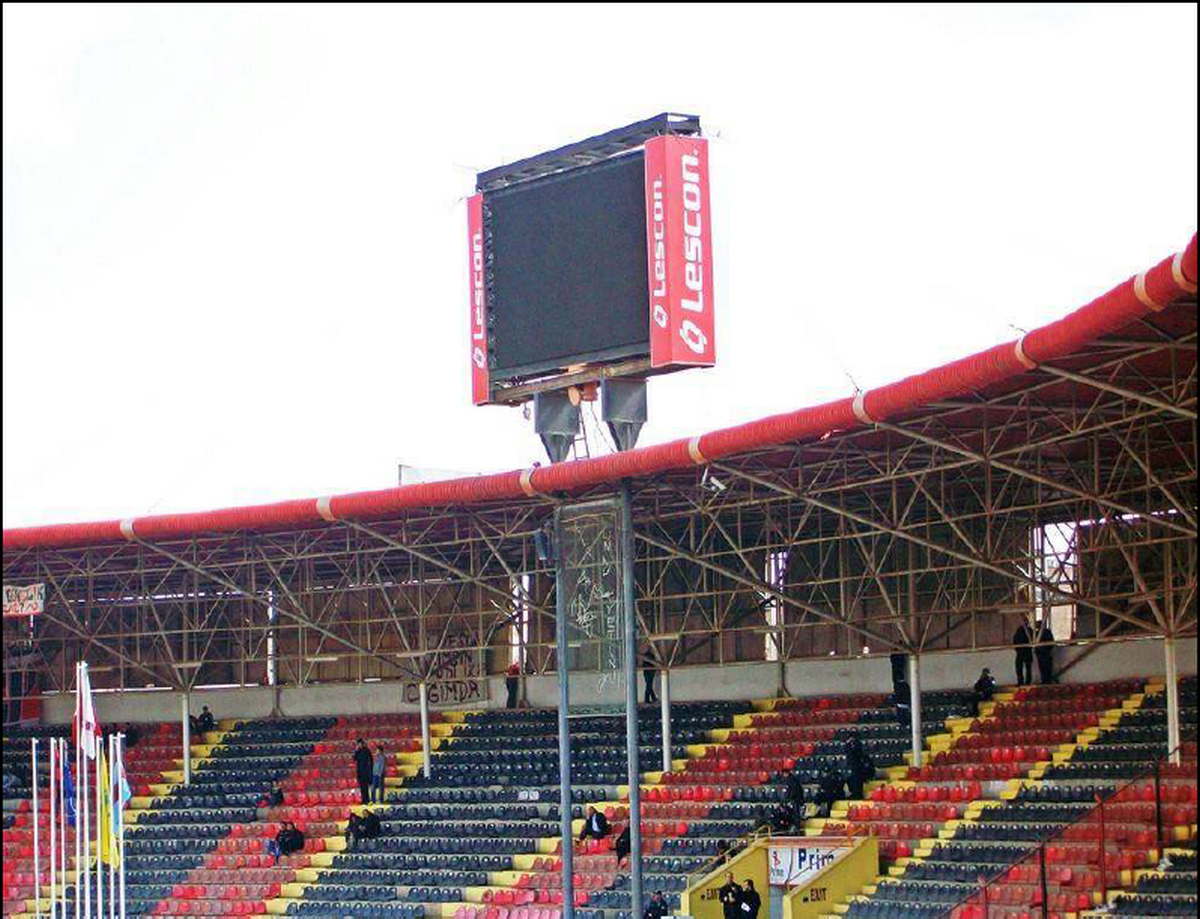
(956, 670)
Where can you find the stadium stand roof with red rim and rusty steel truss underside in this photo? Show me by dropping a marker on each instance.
(1054, 473)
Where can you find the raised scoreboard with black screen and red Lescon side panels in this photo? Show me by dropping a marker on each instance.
(593, 259)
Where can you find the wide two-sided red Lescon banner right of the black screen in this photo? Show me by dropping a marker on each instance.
(680, 248)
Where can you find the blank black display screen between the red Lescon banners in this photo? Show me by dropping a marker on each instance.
(567, 279)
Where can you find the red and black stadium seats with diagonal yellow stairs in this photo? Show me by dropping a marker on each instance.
(479, 839)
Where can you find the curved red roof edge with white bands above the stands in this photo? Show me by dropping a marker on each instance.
(1141, 296)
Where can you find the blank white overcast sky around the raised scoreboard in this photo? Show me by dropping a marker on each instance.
(235, 238)
